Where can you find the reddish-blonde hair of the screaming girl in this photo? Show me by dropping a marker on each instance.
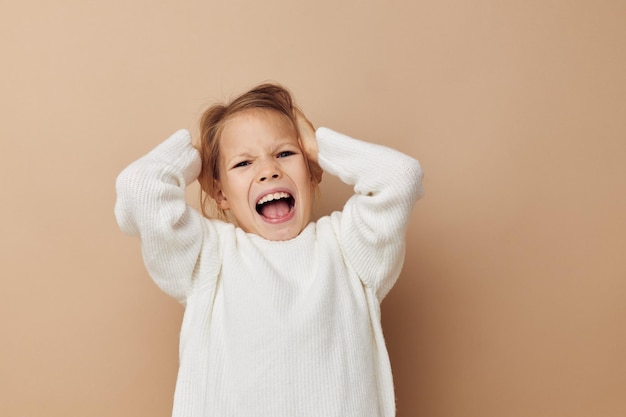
(272, 97)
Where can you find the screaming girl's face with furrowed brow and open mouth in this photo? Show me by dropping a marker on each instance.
(264, 177)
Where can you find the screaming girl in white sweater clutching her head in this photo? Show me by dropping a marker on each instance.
(282, 314)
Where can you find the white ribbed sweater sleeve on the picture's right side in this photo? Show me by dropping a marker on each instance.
(372, 225)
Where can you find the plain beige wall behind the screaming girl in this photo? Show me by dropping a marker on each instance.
(513, 297)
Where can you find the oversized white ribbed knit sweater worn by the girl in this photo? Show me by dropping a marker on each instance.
(277, 328)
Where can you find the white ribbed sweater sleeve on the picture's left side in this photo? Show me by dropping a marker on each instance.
(151, 205)
